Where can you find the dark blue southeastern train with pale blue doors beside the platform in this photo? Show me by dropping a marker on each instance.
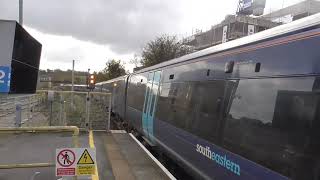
(247, 109)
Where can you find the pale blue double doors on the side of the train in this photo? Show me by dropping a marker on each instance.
(149, 107)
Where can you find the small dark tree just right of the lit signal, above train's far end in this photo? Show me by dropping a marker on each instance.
(112, 70)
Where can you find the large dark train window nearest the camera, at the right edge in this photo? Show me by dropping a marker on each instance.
(276, 123)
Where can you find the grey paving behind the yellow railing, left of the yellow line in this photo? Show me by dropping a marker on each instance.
(33, 148)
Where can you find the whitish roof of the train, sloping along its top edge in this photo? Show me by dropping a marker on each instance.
(264, 35)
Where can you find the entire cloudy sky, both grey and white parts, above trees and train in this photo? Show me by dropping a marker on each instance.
(93, 32)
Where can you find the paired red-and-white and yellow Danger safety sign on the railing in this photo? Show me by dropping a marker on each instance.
(75, 161)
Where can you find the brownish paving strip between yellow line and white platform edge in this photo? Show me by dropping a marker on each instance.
(127, 157)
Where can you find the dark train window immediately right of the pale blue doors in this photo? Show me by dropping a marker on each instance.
(192, 106)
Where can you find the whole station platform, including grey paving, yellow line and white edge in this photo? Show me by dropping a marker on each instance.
(119, 156)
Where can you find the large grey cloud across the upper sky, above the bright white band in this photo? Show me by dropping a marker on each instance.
(124, 25)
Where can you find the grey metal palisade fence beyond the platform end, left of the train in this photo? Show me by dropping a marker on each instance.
(56, 108)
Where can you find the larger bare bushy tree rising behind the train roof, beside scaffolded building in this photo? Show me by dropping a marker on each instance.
(163, 49)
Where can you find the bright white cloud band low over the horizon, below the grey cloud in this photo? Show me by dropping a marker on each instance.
(59, 51)
